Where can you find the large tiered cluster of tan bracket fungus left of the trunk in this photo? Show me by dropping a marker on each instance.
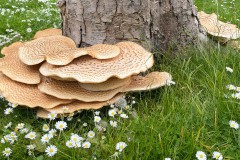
(50, 73)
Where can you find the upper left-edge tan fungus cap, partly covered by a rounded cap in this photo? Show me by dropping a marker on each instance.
(12, 66)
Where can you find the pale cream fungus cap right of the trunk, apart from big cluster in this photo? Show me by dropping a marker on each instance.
(218, 28)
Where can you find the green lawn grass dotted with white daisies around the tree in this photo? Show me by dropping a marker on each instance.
(174, 121)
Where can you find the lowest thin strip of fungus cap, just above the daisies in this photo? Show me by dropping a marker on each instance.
(76, 106)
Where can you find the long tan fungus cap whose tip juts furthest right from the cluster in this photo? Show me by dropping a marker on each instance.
(72, 90)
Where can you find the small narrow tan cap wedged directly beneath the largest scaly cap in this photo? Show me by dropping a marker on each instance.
(110, 84)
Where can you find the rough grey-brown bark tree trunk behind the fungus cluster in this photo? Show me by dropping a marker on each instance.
(152, 23)
